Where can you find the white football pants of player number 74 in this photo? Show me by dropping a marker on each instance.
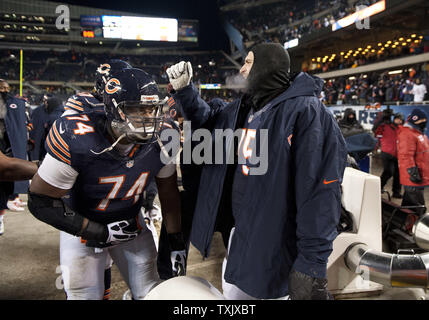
(83, 267)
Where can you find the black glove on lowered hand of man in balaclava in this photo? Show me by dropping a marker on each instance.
(304, 287)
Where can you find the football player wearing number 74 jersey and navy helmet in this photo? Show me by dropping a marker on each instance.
(90, 184)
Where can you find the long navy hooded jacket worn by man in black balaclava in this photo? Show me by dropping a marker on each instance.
(287, 217)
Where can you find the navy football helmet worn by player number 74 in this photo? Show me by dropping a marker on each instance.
(133, 104)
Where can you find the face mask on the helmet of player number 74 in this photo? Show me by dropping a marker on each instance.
(140, 122)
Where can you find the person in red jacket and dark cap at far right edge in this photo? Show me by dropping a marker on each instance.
(413, 158)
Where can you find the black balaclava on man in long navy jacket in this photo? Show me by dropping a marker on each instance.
(269, 75)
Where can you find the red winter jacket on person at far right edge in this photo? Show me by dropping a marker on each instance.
(413, 150)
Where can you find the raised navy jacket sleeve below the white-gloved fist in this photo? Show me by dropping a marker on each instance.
(196, 109)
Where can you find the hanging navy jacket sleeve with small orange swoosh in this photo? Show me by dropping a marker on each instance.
(319, 156)
